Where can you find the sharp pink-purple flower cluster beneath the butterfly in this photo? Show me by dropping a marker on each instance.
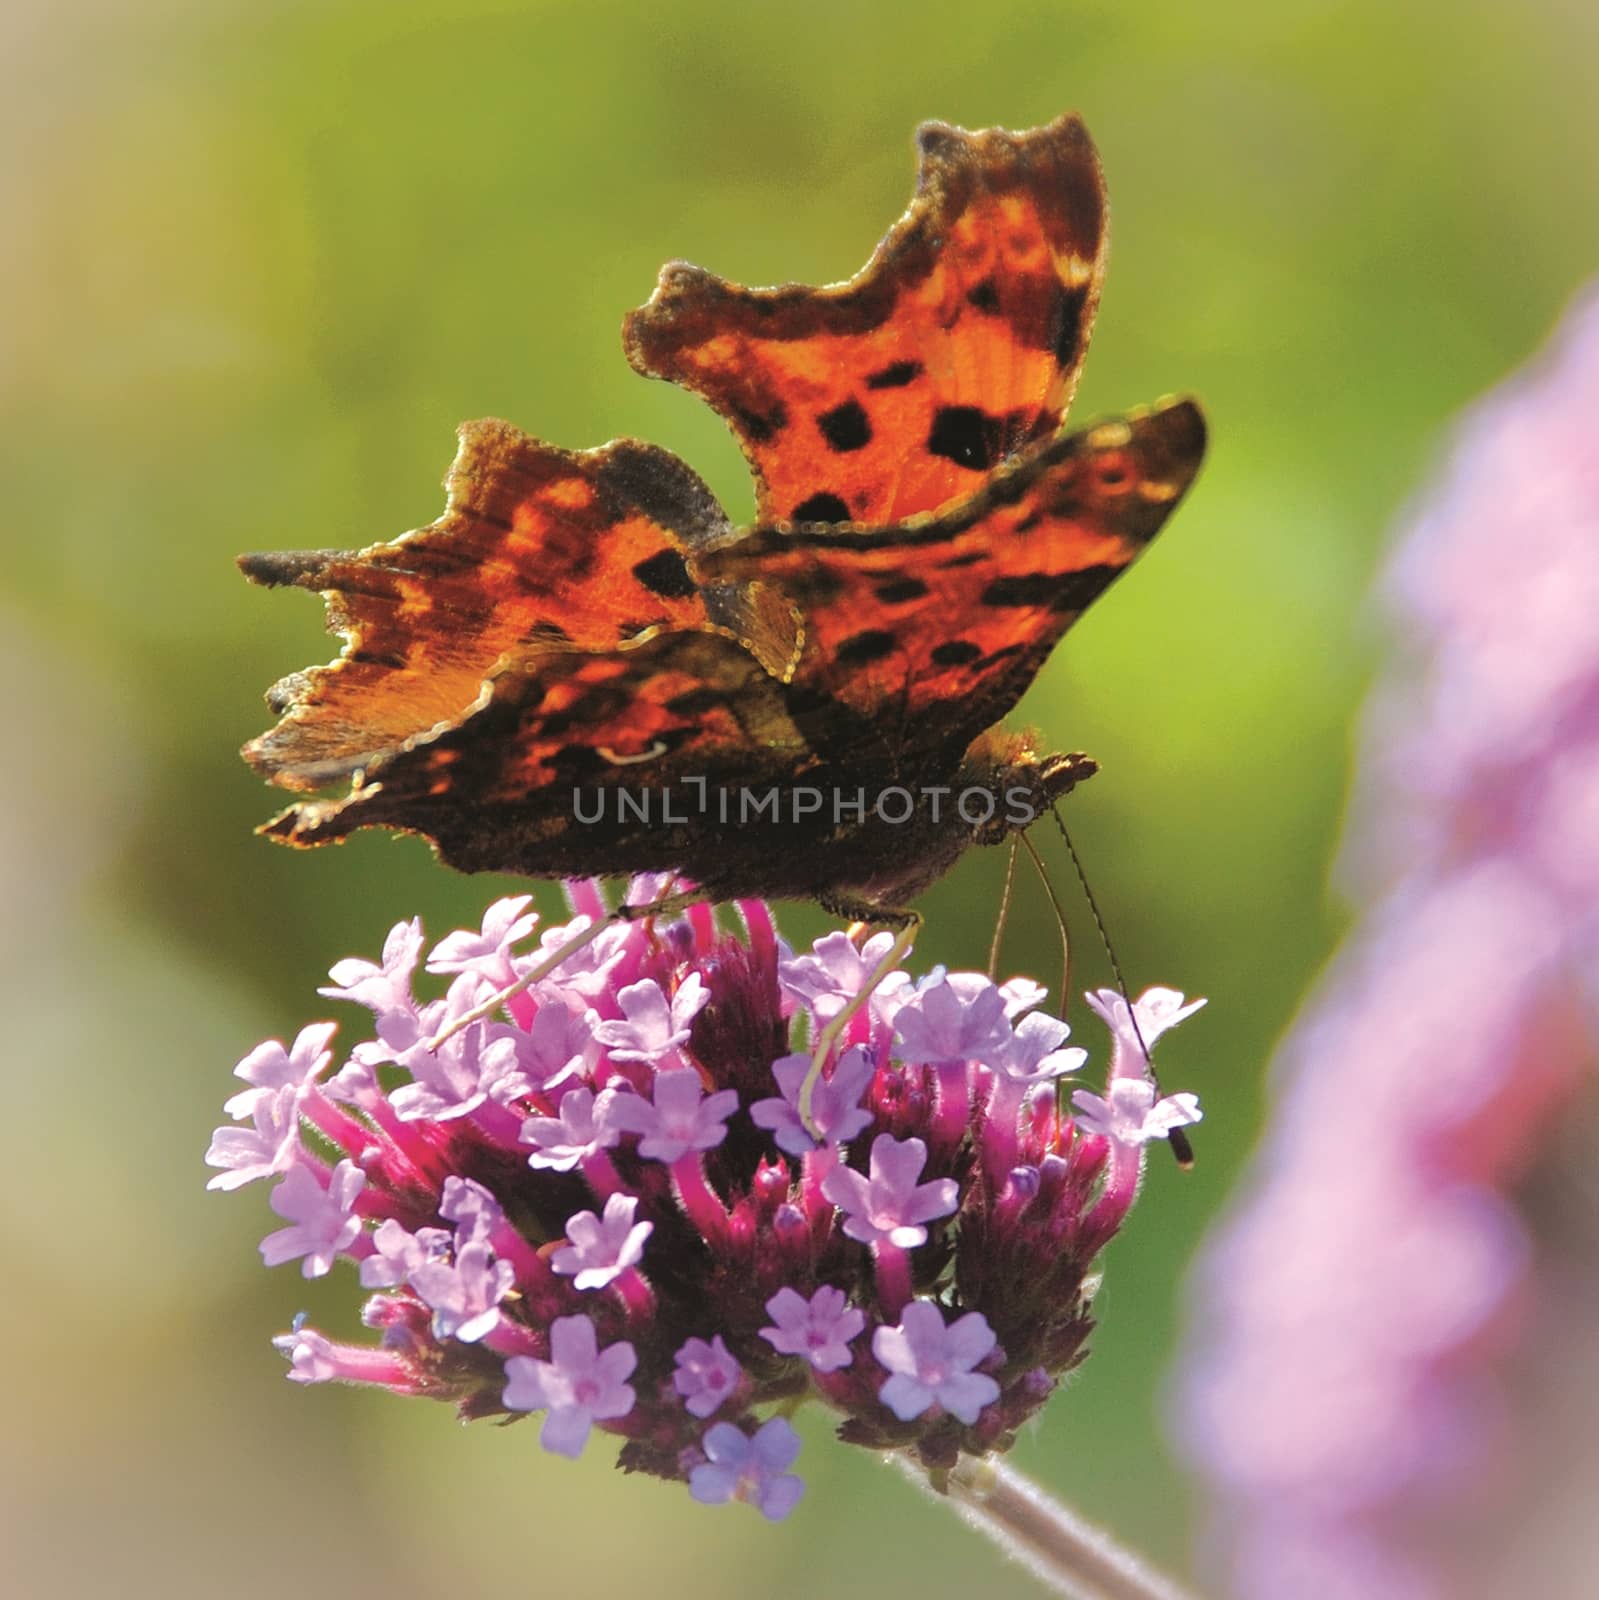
(607, 1207)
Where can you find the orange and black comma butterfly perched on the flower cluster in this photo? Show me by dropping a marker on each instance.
(583, 670)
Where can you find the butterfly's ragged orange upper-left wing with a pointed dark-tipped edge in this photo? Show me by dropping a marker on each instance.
(539, 548)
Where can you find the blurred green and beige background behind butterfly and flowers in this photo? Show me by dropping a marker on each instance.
(262, 258)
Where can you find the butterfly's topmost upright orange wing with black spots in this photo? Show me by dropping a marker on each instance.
(958, 345)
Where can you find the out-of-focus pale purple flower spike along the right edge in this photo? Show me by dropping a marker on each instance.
(1361, 1318)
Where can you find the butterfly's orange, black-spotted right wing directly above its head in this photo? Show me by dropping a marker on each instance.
(934, 630)
